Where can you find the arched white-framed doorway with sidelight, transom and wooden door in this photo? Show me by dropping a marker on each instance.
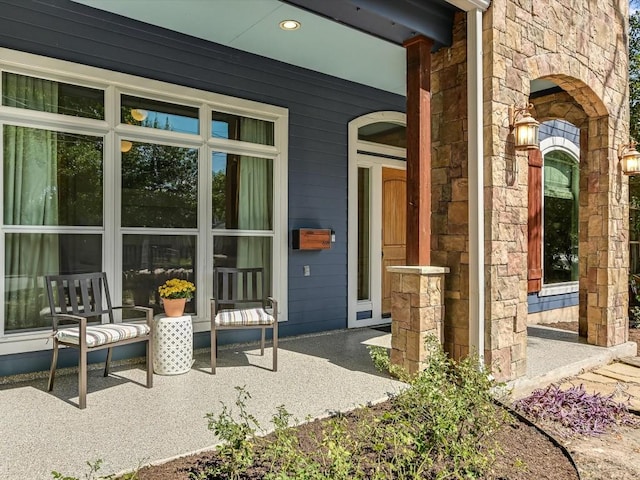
(377, 218)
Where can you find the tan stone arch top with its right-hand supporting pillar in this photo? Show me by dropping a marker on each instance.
(582, 99)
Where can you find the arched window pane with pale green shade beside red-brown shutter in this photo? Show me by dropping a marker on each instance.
(561, 186)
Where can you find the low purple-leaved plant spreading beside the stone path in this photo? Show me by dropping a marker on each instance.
(575, 409)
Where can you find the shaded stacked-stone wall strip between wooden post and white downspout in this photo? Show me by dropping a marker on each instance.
(449, 185)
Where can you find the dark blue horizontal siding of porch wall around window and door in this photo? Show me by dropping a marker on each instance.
(320, 108)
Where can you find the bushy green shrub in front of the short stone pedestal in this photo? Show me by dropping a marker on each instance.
(451, 413)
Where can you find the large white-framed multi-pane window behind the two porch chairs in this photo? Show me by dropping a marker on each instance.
(130, 183)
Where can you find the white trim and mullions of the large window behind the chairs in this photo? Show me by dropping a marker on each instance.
(114, 84)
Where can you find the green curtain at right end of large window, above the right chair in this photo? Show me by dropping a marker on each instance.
(255, 194)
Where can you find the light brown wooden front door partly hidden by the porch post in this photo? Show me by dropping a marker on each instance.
(394, 221)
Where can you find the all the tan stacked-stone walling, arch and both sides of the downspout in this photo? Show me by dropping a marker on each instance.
(581, 47)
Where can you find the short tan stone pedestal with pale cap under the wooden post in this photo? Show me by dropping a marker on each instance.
(417, 311)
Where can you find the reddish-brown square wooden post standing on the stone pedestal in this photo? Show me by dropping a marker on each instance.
(418, 150)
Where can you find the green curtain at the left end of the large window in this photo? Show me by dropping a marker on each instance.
(30, 198)
